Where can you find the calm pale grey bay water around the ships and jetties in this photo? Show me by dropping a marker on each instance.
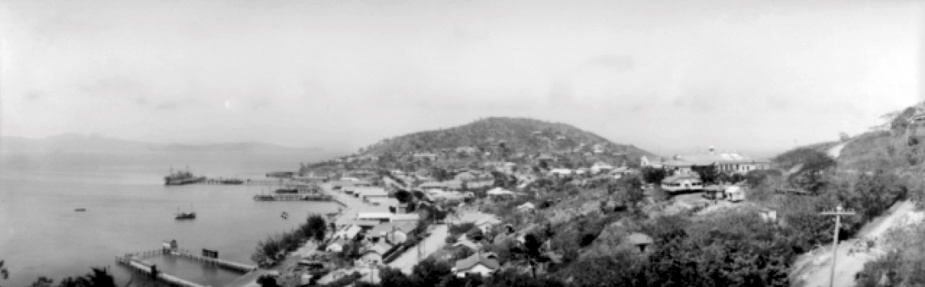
(130, 210)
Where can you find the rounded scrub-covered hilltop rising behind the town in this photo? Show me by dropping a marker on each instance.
(509, 137)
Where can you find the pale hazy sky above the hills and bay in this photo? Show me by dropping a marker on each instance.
(663, 75)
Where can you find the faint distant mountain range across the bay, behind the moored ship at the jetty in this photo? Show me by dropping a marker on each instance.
(100, 144)
